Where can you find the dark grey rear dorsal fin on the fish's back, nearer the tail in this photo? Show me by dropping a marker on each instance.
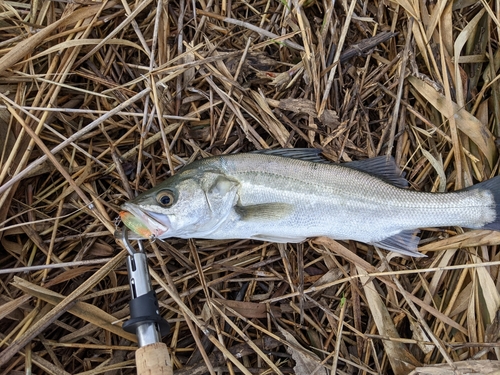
(381, 167)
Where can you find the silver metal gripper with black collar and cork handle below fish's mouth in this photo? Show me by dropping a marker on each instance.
(152, 357)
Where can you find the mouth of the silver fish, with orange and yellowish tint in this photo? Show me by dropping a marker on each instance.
(145, 223)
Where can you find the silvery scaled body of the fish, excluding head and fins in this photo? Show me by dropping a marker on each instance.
(334, 201)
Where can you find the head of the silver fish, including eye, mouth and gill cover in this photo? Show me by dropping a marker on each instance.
(187, 205)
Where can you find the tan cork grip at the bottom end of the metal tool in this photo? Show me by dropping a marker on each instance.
(153, 359)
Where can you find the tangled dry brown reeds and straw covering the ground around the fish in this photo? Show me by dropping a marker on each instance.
(101, 100)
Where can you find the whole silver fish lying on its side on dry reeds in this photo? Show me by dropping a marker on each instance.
(292, 194)
